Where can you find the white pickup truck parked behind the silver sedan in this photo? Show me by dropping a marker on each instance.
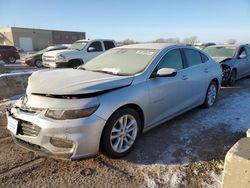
(78, 53)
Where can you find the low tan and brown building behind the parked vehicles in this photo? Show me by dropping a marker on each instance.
(30, 39)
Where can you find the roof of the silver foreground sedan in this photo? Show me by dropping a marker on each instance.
(156, 46)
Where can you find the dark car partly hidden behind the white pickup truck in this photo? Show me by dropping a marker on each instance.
(36, 58)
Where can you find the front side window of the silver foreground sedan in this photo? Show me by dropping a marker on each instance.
(172, 59)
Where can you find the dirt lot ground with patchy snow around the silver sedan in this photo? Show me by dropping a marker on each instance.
(187, 151)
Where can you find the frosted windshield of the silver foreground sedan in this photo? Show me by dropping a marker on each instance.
(121, 61)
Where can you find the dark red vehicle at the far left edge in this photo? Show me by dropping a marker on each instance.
(9, 54)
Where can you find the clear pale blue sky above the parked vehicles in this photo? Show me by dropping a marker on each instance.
(210, 20)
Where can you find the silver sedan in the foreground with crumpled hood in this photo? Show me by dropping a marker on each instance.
(107, 102)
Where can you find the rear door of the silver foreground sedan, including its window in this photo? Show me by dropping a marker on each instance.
(198, 75)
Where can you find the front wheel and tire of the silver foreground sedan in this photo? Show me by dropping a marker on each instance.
(123, 141)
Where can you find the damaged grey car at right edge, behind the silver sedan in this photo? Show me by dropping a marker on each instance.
(234, 59)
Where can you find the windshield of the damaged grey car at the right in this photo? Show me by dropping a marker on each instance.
(225, 51)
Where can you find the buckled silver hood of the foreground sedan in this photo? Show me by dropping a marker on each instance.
(74, 82)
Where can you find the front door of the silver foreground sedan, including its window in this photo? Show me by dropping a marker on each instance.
(168, 95)
